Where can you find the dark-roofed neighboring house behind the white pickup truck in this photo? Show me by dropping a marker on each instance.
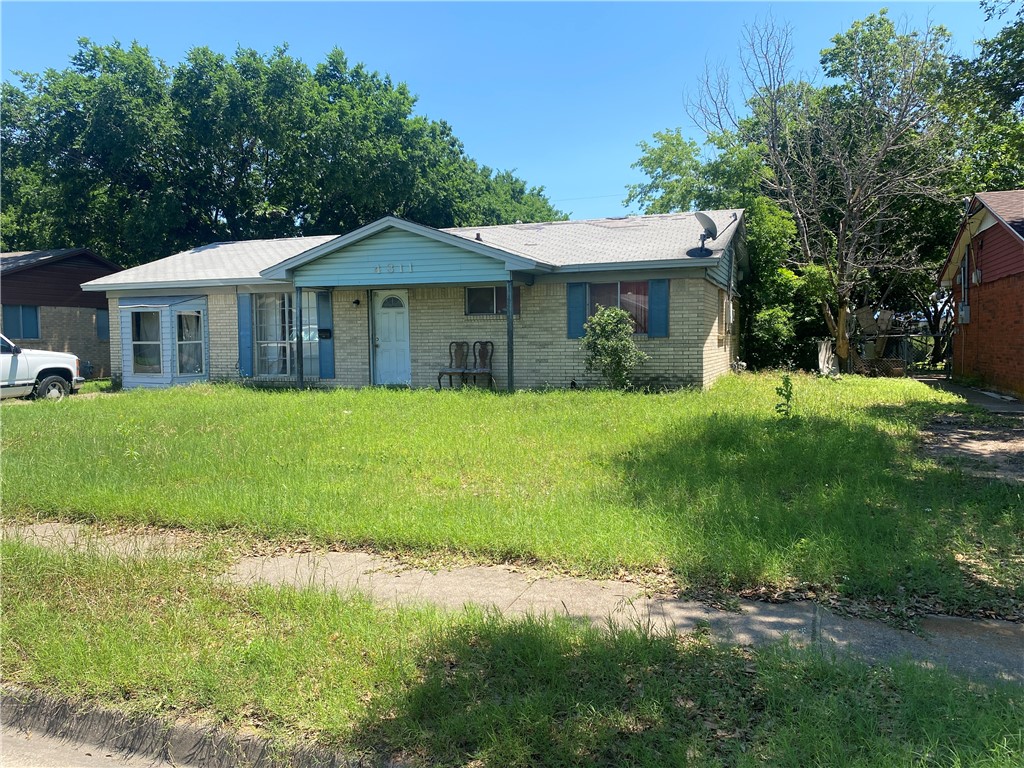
(46, 308)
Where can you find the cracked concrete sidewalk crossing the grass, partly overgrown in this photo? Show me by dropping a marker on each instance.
(982, 650)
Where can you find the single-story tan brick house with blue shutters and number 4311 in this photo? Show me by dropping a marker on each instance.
(381, 305)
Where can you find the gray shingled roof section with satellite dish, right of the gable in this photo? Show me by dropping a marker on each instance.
(594, 242)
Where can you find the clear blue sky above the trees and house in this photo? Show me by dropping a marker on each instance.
(561, 93)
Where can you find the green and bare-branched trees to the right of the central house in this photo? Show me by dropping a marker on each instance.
(871, 169)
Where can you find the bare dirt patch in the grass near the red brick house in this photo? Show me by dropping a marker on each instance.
(992, 449)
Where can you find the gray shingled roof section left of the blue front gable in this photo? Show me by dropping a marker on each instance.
(218, 264)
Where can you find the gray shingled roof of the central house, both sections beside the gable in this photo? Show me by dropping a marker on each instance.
(670, 237)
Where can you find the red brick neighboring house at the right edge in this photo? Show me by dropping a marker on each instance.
(986, 271)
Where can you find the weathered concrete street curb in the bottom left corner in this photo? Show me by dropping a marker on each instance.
(81, 721)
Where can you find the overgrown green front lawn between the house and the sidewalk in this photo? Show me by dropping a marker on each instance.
(713, 486)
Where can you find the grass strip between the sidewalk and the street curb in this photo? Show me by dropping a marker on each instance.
(164, 636)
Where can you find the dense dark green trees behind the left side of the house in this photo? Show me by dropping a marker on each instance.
(138, 160)
